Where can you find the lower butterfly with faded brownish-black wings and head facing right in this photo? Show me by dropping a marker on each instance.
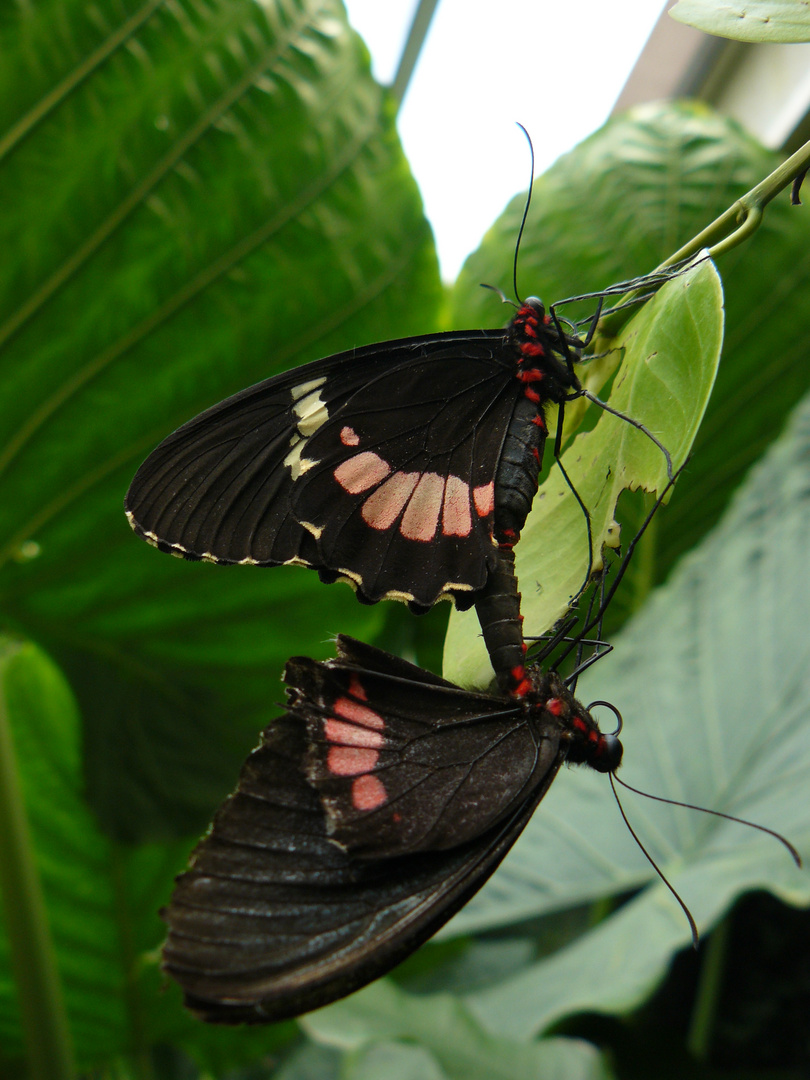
(373, 811)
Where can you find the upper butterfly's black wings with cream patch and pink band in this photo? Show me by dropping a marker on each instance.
(376, 466)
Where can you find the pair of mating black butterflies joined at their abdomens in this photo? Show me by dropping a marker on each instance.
(386, 796)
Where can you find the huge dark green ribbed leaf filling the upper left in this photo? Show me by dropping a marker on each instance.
(202, 195)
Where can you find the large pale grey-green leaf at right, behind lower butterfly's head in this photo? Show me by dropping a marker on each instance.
(713, 680)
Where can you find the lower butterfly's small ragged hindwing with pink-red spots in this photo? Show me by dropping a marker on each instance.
(404, 766)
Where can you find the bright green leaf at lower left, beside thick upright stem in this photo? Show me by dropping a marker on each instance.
(102, 899)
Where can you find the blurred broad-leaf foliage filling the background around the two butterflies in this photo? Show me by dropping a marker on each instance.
(198, 196)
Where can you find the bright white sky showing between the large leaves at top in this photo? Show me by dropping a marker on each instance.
(558, 67)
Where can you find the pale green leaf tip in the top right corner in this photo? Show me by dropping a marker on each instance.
(755, 21)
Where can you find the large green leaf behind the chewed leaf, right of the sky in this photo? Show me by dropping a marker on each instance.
(615, 208)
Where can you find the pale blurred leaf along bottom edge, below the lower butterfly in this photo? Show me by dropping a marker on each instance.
(444, 1030)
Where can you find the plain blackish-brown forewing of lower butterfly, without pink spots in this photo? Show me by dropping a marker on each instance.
(274, 920)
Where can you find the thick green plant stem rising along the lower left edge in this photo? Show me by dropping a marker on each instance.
(34, 964)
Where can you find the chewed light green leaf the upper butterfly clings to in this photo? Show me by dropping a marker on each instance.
(669, 360)
